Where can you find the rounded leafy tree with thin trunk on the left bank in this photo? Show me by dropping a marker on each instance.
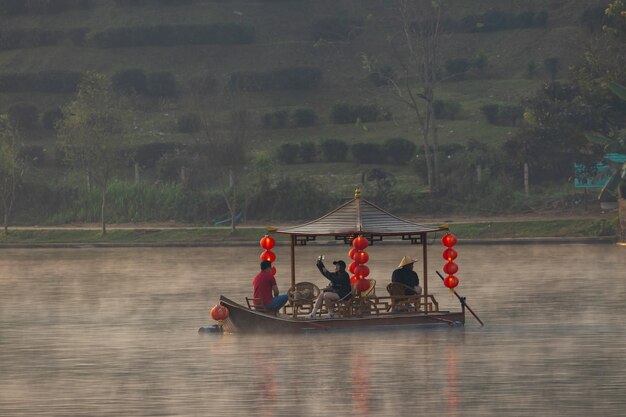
(94, 134)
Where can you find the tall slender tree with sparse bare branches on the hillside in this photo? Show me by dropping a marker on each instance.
(416, 49)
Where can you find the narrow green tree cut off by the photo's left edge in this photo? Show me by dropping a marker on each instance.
(11, 167)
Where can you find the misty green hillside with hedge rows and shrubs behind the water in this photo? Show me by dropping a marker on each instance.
(325, 98)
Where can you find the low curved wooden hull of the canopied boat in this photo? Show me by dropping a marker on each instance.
(242, 319)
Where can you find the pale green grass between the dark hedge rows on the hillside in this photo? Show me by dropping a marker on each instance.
(284, 38)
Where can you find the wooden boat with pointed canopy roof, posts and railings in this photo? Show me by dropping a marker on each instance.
(357, 217)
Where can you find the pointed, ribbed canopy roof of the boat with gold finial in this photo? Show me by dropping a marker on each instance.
(359, 216)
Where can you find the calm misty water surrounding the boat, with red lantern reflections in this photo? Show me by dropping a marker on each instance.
(113, 332)
